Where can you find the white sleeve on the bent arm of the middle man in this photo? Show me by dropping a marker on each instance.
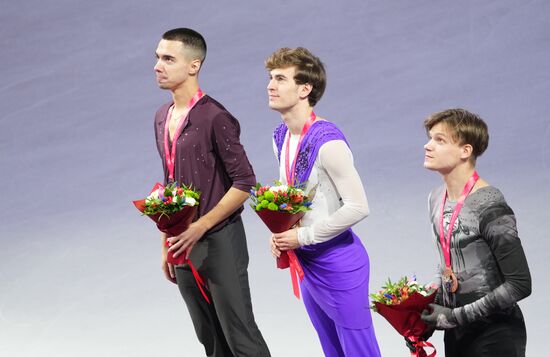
(336, 158)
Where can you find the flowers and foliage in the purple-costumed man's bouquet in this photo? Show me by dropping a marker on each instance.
(279, 197)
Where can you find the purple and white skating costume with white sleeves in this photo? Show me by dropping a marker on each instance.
(335, 262)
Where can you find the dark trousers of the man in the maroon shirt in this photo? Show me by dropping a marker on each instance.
(226, 327)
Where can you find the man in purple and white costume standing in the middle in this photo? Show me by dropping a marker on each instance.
(314, 151)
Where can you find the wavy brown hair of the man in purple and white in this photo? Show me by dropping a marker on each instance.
(309, 69)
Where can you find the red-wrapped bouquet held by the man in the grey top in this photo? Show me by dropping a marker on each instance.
(401, 304)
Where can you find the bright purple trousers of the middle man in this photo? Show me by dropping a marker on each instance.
(336, 295)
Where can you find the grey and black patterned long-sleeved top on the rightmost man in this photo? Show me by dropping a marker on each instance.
(486, 256)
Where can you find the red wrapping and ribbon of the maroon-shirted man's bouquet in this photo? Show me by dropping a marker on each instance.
(174, 225)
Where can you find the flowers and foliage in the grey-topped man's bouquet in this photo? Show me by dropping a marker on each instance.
(395, 293)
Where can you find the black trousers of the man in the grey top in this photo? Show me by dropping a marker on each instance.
(502, 337)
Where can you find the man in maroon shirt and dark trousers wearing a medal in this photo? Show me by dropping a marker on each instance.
(208, 155)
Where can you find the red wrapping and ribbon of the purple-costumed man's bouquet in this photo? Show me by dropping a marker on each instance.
(278, 222)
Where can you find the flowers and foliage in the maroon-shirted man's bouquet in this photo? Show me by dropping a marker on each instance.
(171, 199)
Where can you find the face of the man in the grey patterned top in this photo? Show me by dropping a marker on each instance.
(442, 153)
